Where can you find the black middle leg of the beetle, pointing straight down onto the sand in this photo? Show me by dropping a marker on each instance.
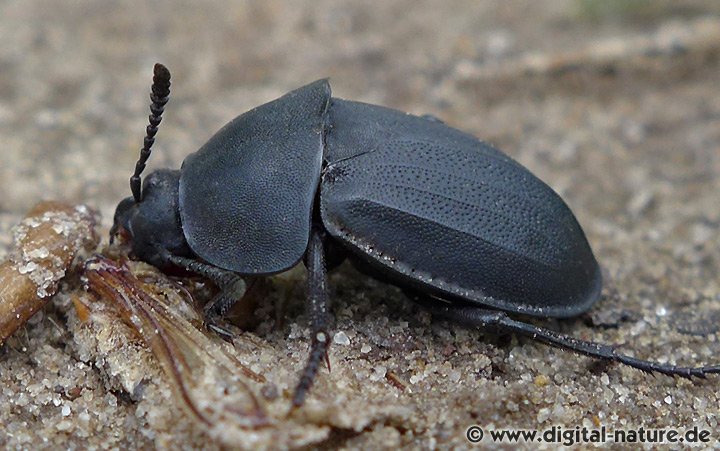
(318, 300)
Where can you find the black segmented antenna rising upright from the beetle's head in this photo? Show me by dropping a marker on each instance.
(159, 95)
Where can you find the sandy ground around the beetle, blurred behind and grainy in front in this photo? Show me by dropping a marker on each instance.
(614, 104)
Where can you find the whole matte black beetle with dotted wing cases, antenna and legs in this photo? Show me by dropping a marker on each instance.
(460, 226)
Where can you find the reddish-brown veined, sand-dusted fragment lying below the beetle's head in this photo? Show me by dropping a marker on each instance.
(212, 384)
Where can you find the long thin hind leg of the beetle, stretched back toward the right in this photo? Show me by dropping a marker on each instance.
(479, 317)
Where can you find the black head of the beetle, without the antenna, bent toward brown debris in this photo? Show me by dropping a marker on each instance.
(154, 222)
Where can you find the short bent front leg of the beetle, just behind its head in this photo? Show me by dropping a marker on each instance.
(230, 284)
